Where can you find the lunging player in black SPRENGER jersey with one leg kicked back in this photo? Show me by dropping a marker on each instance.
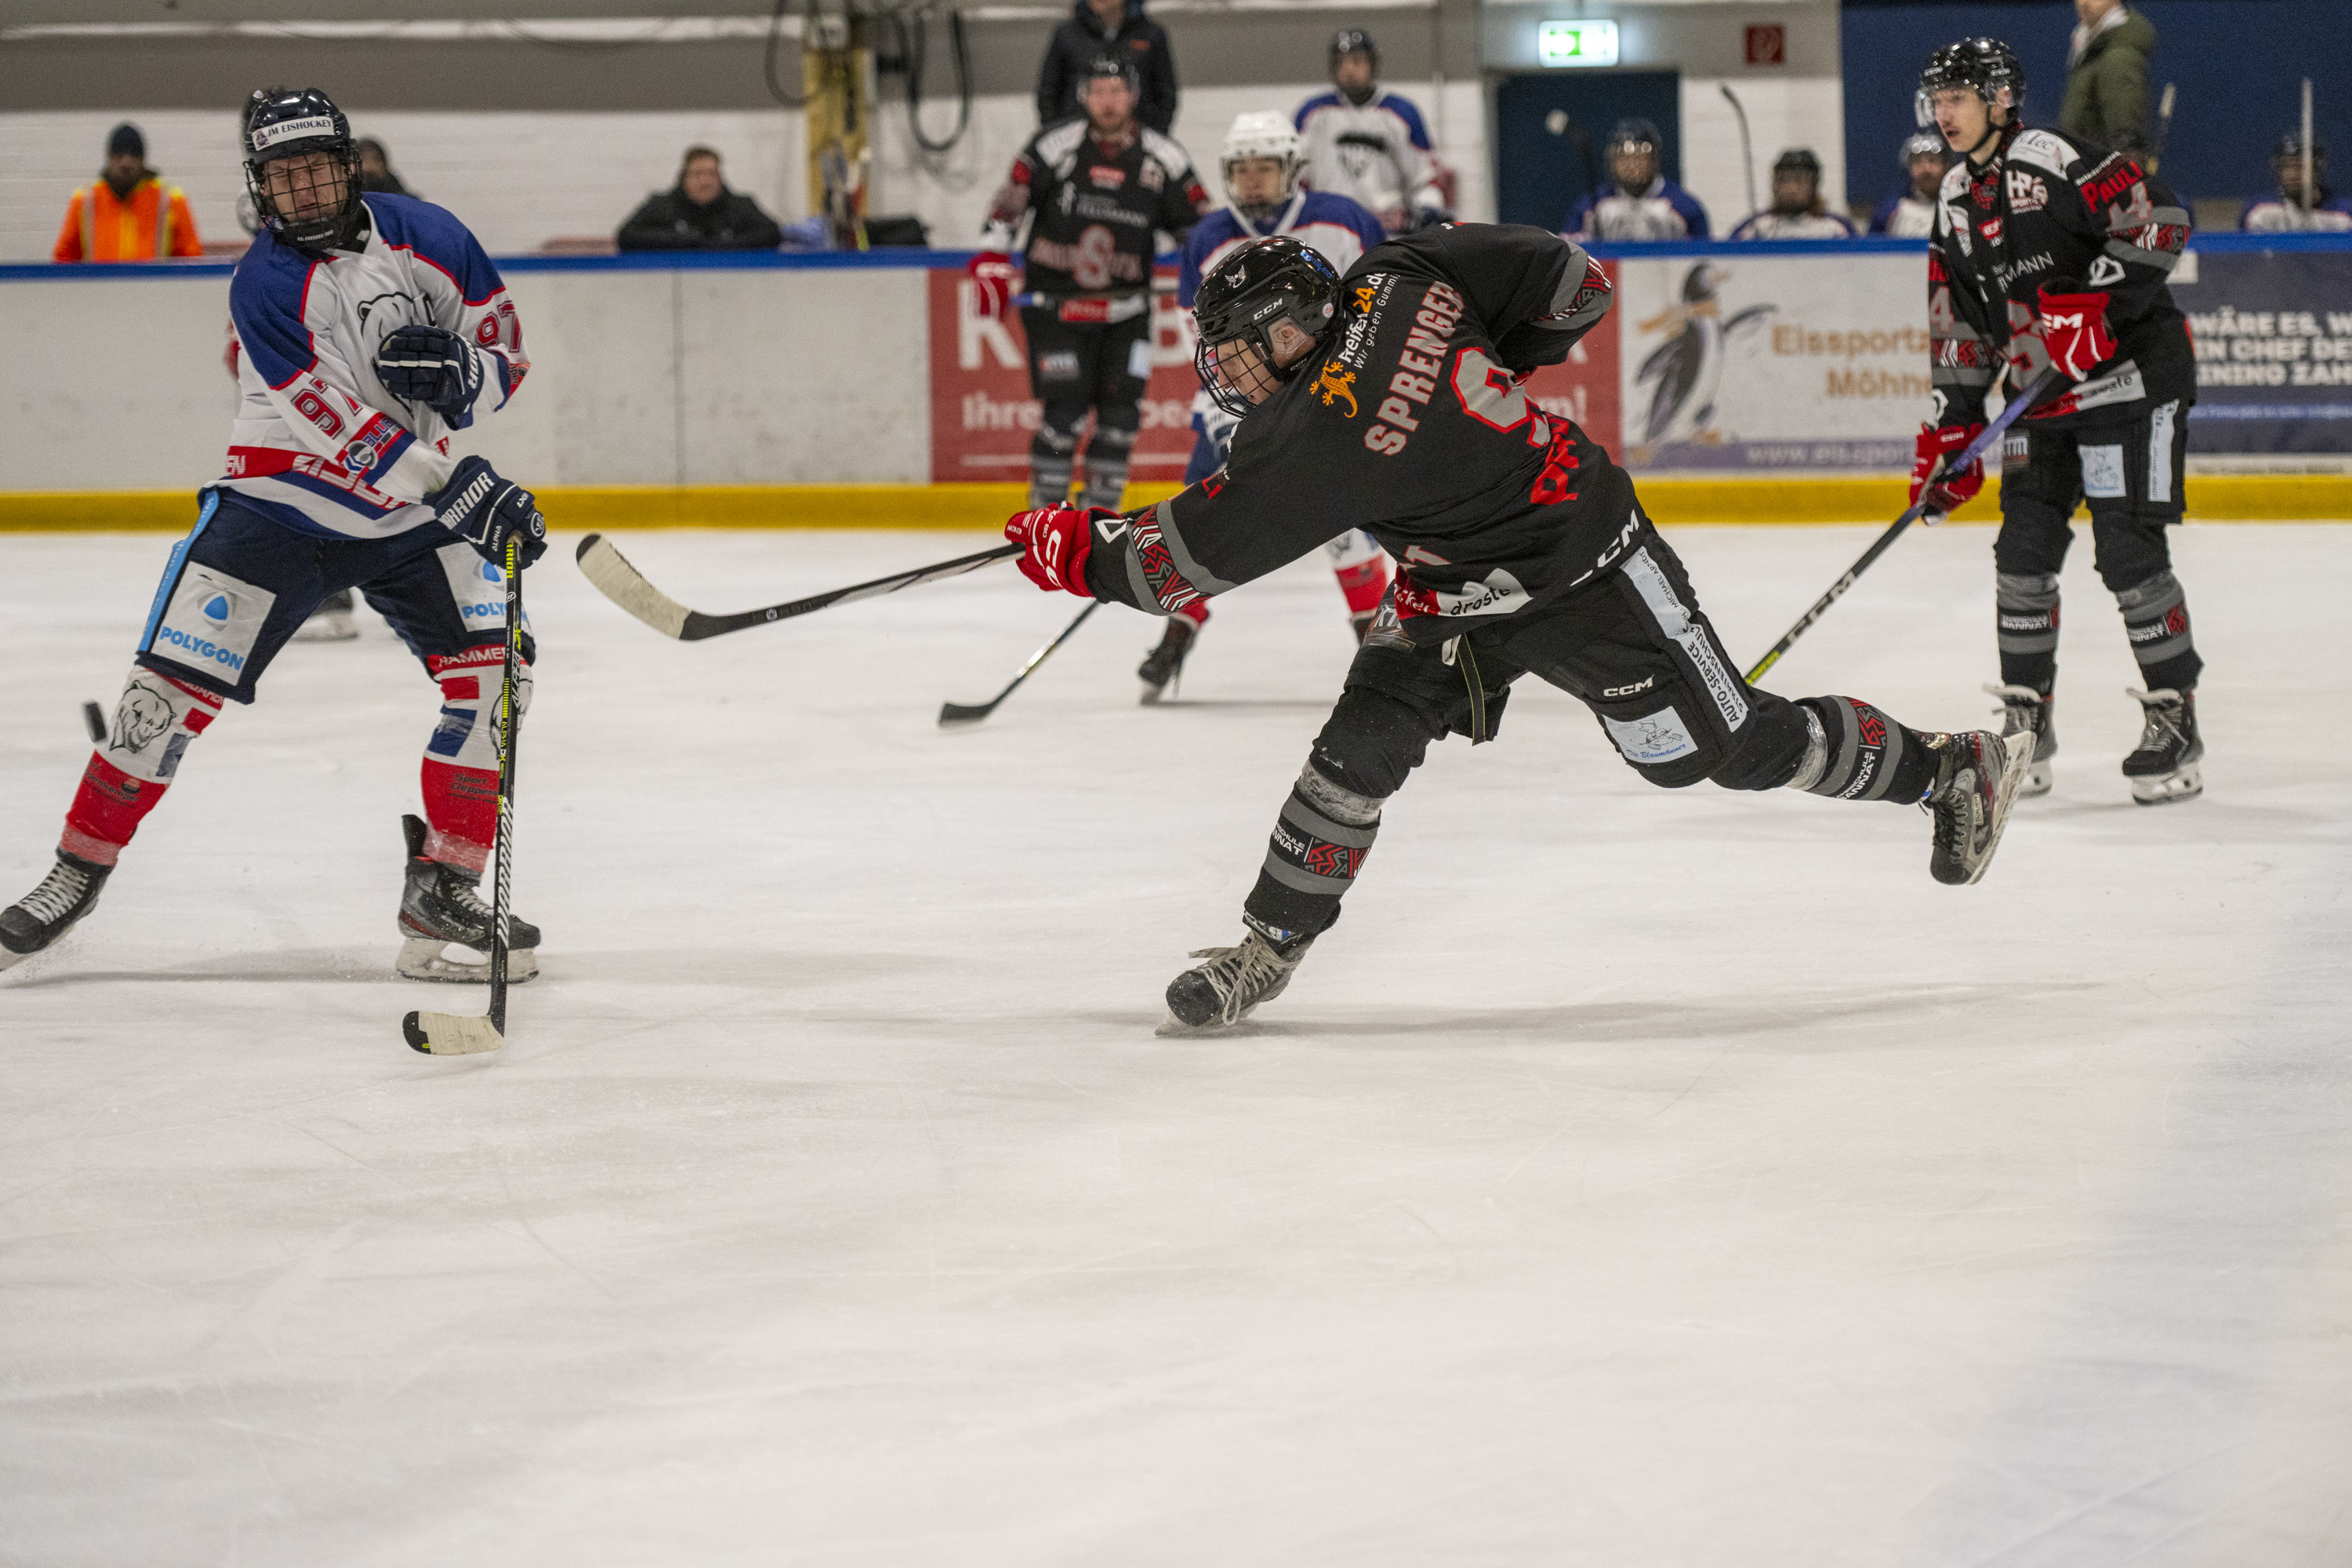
(1391, 401)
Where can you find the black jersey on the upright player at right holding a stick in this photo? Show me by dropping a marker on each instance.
(2078, 217)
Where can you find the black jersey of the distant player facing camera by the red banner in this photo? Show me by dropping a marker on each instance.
(1095, 208)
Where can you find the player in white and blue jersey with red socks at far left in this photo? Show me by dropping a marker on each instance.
(370, 328)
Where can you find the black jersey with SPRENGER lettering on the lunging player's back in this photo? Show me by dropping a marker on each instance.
(1410, 424)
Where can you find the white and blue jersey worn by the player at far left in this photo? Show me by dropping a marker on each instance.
(319, 443)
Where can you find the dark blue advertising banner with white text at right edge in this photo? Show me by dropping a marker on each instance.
(2273, 351)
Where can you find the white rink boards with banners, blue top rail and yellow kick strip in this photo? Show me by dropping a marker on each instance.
(1775, 382)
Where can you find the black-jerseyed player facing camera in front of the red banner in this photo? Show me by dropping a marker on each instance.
(1093, 194)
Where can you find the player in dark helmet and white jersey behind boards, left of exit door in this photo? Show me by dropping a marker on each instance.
(1370, 145)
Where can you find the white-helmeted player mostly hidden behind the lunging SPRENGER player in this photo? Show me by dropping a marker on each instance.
(1259, 168)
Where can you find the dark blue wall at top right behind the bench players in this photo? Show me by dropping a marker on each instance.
(2238, 65)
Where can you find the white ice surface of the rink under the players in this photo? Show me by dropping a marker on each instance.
(1633, 1179)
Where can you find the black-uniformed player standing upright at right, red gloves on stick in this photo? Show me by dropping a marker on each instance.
(2052, 250)
